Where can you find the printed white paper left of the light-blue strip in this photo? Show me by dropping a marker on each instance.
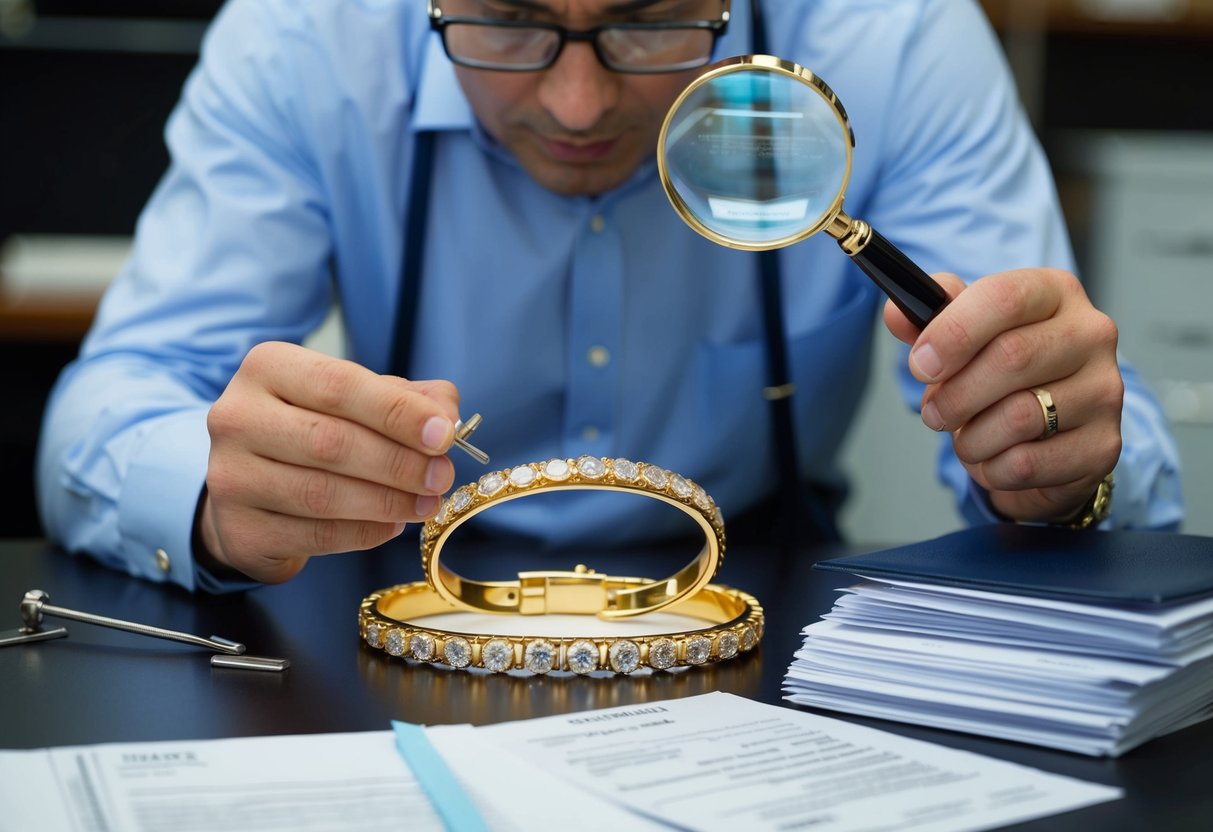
(300, 783)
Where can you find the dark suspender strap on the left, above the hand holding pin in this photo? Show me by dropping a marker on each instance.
(414, 254)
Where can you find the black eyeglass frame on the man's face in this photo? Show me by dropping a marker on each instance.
(438, 24)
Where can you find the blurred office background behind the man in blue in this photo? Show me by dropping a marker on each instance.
(1118, 90)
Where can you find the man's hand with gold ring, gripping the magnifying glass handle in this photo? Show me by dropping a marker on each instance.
(983, 356)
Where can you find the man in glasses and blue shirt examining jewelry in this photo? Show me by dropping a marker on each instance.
(559, 293)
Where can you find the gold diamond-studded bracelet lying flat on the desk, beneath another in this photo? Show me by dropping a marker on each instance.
(388, 622)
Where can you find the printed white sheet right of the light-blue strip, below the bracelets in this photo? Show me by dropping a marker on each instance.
(722, 762)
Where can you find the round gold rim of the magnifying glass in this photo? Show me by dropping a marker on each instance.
(768, 64)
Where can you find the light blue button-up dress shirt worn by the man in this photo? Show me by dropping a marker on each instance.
(577, 326)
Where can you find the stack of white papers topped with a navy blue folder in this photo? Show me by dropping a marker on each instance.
(1100, 643)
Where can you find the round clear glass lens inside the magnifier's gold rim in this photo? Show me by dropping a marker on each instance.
(758, 158)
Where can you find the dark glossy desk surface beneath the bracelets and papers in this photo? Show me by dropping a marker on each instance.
(102, 686)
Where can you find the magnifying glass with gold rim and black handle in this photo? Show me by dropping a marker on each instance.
(756, 155)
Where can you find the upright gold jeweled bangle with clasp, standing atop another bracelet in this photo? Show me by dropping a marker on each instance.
(580, 594)
